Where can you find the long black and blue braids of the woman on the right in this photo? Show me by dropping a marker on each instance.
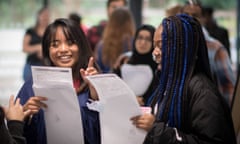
(184, 53)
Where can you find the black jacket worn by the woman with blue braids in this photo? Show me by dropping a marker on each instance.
(208, 119)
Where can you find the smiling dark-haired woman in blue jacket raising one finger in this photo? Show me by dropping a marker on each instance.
(64, 45)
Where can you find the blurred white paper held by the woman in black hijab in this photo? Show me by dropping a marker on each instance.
(137, 77)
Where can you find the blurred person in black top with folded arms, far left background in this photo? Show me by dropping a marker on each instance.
(32, 42)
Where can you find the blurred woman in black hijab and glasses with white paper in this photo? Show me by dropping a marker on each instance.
(139, 57)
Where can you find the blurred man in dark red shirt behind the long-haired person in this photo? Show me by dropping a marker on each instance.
(95, 32)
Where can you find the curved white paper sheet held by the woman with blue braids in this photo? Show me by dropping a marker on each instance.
(118, 104)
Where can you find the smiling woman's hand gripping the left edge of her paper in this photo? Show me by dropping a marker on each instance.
(34, 104)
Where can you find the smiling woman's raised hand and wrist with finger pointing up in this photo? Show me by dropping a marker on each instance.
(90, 70)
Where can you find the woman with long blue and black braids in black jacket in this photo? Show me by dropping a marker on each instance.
(187, 107)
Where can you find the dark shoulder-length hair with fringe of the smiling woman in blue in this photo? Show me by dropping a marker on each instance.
(72, 32)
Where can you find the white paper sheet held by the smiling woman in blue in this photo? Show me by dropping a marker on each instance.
(62, 117)
